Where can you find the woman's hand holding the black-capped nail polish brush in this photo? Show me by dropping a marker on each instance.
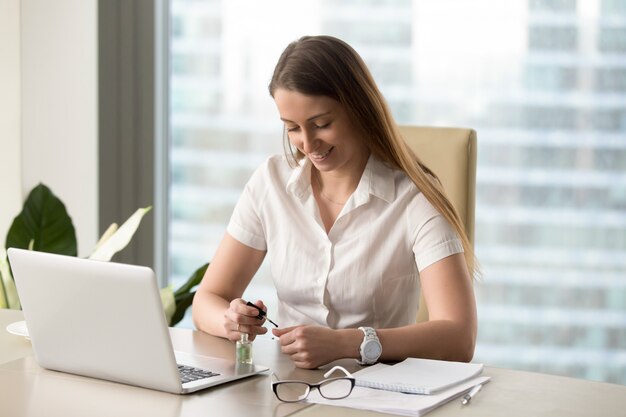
(241, 318)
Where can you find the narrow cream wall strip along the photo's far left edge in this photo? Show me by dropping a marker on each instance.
(10, 177)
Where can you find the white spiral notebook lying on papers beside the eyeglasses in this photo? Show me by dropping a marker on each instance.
(419, 376)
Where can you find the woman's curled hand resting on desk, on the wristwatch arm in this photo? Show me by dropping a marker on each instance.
(309, 346)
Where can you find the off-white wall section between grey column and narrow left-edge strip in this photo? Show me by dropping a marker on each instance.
(59, 103)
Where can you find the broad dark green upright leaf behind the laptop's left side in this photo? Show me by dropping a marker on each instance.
(45, 222)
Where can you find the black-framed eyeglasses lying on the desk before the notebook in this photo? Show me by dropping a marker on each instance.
(291, 391)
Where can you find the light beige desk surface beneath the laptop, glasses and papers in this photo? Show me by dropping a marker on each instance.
(28, 390)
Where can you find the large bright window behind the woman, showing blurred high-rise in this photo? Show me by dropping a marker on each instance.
(543, 83)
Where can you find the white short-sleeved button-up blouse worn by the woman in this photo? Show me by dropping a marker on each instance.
(365, 271)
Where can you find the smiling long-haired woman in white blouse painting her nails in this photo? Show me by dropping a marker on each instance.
(352, 222)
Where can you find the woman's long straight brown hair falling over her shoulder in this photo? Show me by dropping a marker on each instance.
(327, 66)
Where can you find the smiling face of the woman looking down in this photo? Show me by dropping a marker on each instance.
(321, 129)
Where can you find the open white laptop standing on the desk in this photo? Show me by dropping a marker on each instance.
(105, 320)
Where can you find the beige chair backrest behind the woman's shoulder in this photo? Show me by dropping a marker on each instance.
(451, 154)
